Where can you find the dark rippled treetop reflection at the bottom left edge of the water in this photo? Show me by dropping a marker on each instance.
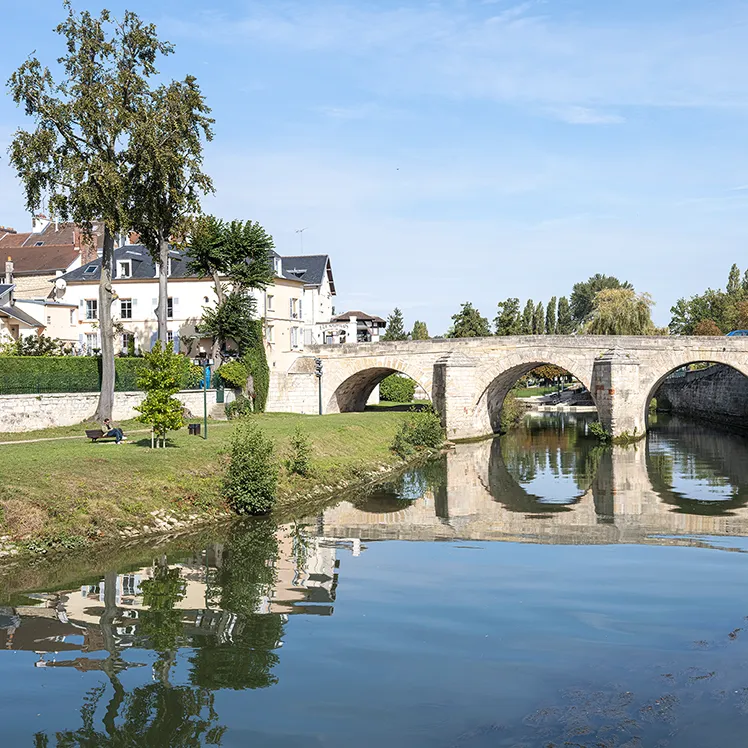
(151, 716)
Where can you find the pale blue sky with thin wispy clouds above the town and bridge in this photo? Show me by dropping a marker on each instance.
(461, 150)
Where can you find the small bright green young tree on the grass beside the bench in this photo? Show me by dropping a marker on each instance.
(161, 378)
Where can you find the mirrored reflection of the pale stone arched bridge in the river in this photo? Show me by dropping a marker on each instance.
(686, 481)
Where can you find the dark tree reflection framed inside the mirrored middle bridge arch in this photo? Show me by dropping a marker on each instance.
(555, 445)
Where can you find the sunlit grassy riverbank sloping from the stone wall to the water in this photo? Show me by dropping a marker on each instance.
(62, 492)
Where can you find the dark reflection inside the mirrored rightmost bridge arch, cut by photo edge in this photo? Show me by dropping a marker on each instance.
(678, 448)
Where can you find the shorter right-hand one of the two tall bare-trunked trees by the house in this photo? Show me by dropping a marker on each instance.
(167, 184)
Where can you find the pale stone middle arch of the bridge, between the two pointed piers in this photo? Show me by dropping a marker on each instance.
(494, 381)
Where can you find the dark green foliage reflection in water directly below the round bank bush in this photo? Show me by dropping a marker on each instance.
(240, 652)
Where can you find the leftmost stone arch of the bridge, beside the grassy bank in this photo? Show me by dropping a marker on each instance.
(348, 384)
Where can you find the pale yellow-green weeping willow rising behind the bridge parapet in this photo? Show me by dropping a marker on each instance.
(621, 311)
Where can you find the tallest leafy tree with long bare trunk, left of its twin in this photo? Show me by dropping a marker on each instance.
(79, 155)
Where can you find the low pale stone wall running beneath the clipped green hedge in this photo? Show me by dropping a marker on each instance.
(32, 412)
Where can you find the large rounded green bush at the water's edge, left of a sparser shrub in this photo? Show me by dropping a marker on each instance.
(251, 479)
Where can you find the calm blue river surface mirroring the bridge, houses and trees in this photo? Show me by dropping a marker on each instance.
(535, 590)
